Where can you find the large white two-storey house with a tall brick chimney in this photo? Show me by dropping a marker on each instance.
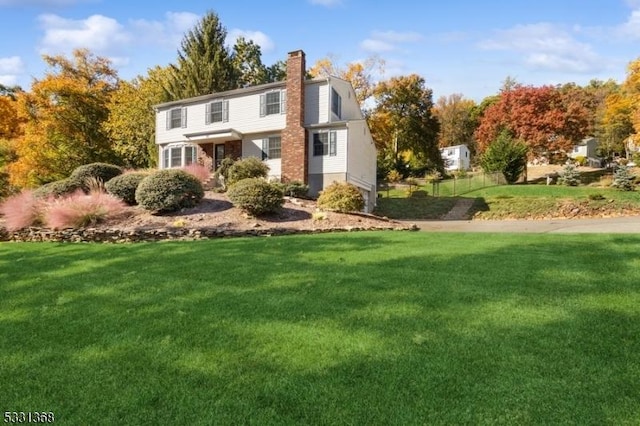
(311, 131)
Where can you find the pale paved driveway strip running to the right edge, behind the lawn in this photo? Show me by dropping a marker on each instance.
(618, 225)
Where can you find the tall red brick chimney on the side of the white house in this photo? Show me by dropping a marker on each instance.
(294, 149)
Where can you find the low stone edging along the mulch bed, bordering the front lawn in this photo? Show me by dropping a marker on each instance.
(141, 235)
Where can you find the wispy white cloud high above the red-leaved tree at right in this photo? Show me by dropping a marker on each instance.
(546, 46)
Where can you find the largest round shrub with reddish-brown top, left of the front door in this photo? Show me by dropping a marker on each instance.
(169, 190)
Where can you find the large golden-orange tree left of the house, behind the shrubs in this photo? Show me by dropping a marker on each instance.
(64, 115)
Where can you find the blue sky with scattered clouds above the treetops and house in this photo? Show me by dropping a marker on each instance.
(458, 46)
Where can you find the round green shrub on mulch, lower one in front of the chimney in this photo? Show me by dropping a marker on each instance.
(256, 196)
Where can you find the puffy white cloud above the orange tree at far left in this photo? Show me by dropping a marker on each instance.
(98, 33)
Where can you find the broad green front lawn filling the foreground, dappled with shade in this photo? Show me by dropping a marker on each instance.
(351, 328)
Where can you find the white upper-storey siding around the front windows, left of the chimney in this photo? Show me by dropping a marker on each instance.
(244, 116)
